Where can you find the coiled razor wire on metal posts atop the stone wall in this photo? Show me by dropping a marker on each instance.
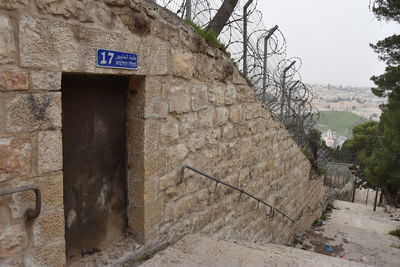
(261, 57)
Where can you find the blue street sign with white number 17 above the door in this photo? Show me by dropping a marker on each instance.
(116, 59)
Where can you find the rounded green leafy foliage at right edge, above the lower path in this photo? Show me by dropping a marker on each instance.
(373, 150)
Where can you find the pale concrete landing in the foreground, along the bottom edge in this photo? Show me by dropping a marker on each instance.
(194, 250)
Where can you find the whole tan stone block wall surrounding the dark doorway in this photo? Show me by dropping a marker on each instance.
(188, 104)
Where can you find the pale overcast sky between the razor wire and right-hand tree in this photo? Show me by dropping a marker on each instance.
(332, 38)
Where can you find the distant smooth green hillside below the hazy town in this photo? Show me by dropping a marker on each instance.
(341, 122)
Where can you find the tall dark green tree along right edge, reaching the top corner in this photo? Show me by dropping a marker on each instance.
(382, 165)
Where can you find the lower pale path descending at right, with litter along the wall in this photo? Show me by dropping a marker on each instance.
(355, 232)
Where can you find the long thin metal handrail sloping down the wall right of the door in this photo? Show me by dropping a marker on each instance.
(272, 209)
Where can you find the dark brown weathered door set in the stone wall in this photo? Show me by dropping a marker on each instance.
(94, 156)
